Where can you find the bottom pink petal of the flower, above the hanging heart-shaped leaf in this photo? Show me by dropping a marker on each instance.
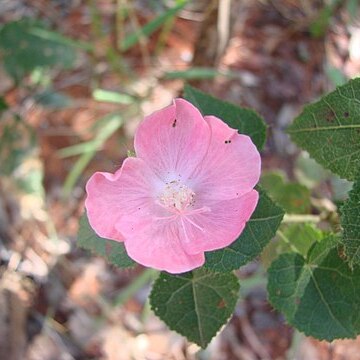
(158, 246)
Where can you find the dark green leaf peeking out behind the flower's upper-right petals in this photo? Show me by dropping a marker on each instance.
(247, 121)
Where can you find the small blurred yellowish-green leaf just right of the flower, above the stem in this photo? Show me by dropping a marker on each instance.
(293, 197)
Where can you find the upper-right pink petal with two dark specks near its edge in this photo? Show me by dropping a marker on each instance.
(231, 167)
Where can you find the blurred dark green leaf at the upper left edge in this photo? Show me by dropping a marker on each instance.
(26, 44)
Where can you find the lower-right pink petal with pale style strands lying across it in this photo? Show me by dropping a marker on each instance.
(220, 226)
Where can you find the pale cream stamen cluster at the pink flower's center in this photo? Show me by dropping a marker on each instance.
(176, 196)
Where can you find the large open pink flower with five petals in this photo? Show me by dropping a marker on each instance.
(189, 190)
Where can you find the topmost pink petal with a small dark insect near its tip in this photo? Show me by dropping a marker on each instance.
(174, 140)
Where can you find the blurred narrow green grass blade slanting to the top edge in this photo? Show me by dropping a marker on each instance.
(149, 28)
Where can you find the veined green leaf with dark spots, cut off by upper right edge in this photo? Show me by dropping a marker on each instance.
(330, 130)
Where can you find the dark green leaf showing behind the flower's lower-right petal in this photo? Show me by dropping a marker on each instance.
(259, 230)
